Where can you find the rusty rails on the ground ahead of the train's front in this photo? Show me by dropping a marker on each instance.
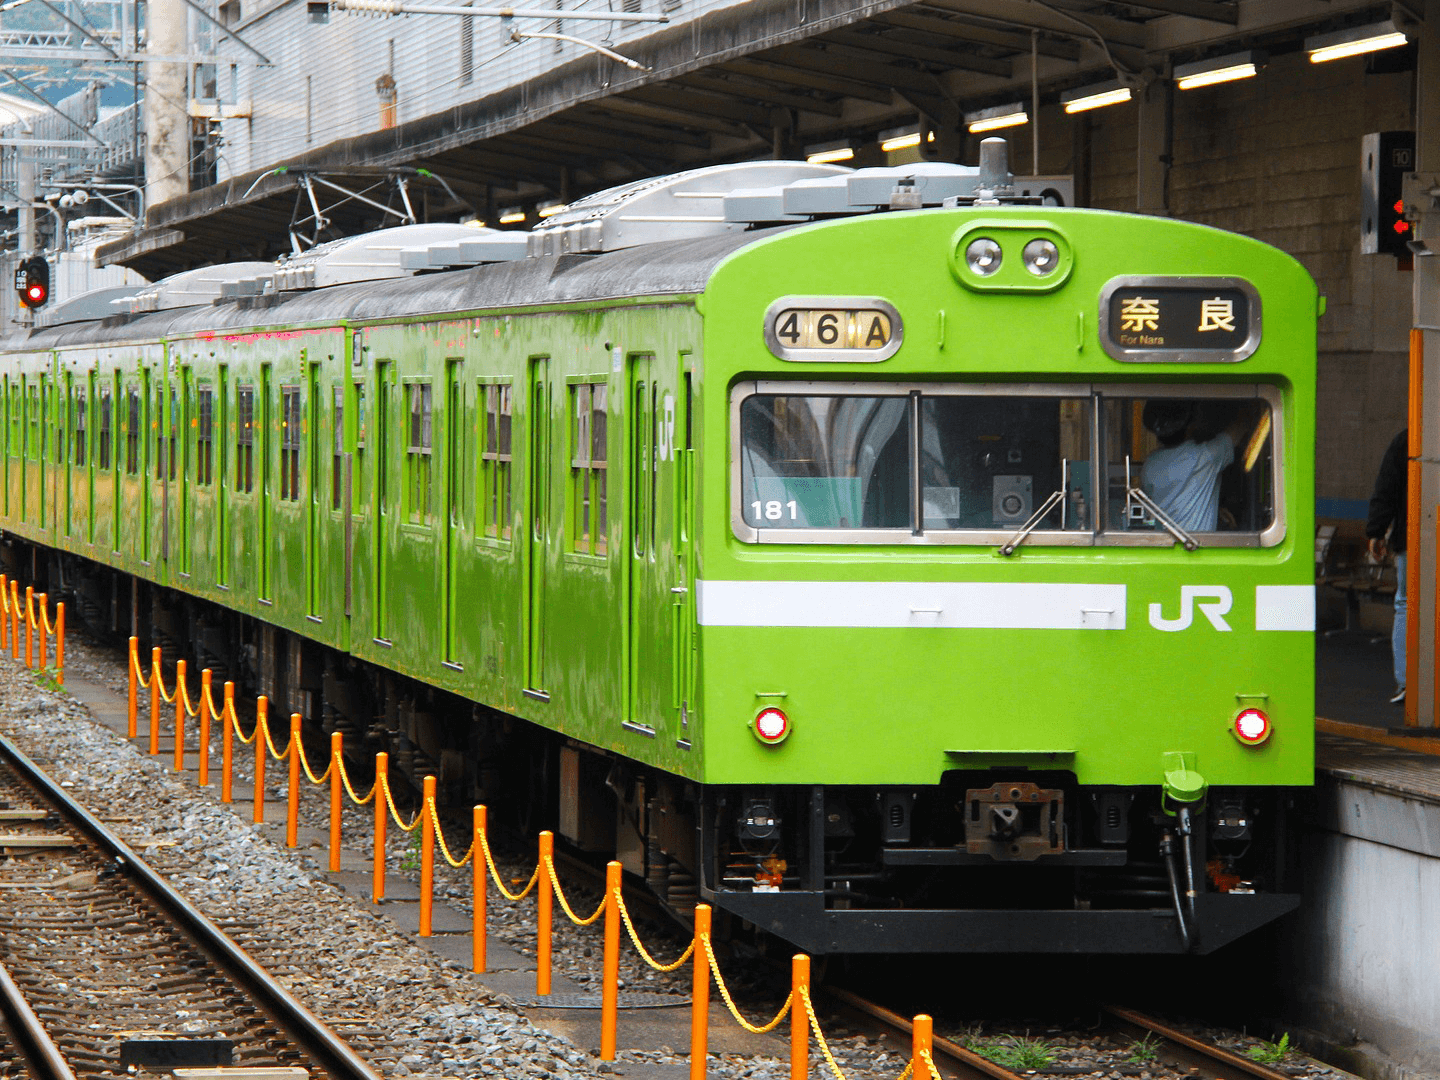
(1170, 1052)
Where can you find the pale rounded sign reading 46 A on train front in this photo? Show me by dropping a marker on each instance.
(833, 329)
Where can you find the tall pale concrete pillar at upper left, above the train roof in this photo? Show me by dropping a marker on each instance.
(166, 114)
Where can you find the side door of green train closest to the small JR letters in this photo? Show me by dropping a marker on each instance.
(644, 662)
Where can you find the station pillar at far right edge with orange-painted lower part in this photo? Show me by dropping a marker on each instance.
(1425, 385)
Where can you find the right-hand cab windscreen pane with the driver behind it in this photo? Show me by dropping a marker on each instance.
(1190, 464)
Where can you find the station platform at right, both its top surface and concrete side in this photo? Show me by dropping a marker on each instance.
(1366, 945)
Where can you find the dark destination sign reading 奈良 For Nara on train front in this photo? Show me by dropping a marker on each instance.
(1180, 320)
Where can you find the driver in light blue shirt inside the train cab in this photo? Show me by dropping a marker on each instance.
(1183, 476)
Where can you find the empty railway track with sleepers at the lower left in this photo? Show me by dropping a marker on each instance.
(107, 970)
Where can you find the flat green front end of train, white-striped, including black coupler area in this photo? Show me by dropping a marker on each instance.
(1006, 597)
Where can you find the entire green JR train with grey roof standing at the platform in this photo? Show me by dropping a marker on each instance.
(892, 559)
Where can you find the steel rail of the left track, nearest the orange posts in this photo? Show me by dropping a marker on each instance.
(310, 1035)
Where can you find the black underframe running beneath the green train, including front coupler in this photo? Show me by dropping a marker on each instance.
(1019, 862)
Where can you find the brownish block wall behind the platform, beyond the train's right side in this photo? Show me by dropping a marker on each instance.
(1278, 158)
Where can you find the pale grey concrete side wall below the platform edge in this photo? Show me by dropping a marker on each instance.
(1367, 945)
